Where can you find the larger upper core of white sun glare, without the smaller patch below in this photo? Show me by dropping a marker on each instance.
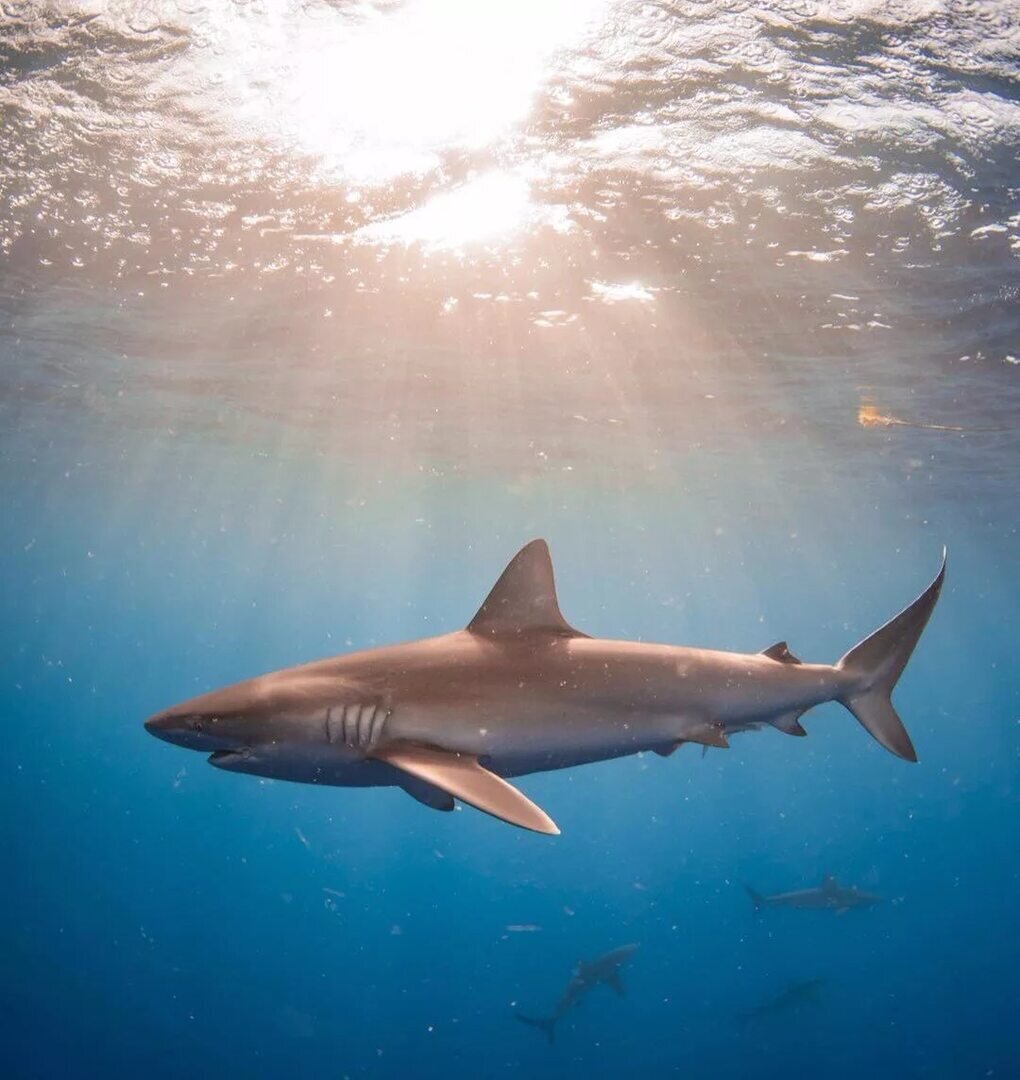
(391, 93)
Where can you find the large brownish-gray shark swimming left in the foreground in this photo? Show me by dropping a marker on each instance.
(520, 691)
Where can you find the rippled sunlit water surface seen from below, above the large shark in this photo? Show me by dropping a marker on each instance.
(629, 206)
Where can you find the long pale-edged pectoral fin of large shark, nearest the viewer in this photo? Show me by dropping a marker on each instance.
(462, 777)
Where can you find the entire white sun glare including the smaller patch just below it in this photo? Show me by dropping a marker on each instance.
(377, 96)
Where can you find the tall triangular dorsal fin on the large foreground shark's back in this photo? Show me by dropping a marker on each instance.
(525, 598)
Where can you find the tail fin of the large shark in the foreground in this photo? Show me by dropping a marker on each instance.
(879, 661)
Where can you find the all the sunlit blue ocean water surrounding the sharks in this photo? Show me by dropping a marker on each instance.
(311, 317)
